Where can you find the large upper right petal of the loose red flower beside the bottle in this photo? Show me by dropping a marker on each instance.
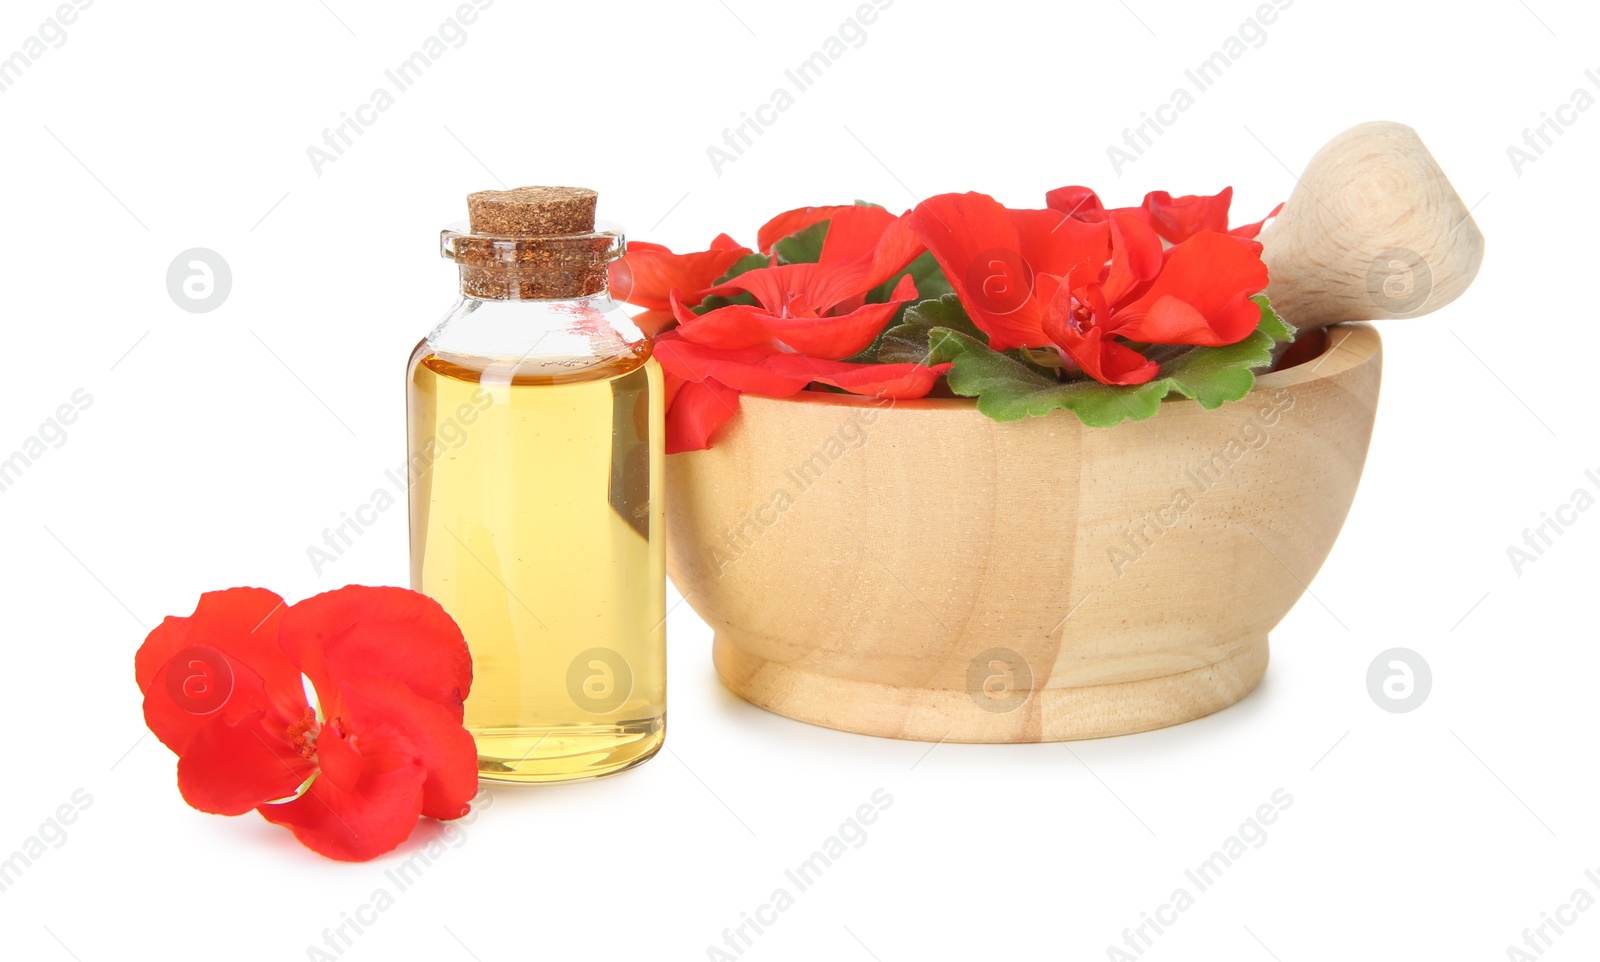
(361, 631)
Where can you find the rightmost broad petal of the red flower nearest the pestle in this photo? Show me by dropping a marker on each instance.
(1202, 295)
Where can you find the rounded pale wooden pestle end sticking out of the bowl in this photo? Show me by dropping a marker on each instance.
(1374, 230)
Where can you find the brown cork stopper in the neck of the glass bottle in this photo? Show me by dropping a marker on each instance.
(532, 243)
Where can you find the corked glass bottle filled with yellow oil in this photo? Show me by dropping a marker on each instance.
(535, 436)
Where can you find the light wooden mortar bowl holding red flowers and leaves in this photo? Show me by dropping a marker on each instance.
(918, 571)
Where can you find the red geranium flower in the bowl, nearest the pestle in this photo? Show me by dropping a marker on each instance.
(1090, 283)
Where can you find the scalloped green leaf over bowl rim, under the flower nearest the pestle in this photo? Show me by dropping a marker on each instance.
(1009, 390)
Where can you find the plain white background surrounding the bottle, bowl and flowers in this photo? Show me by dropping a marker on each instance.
(220, 446)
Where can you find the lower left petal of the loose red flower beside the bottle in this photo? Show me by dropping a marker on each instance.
(233, 768)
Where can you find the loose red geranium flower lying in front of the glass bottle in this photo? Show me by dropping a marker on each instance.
(225, 691)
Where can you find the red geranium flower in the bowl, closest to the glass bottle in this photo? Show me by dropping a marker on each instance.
(806, 321)
